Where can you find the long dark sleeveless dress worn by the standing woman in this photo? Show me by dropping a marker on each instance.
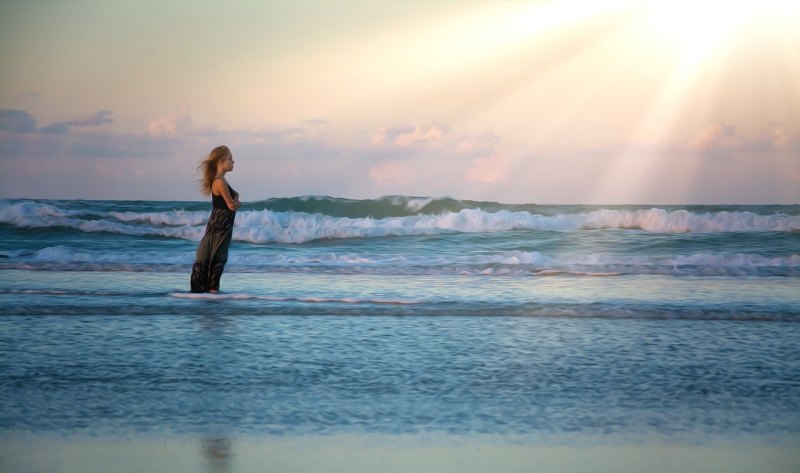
(212, 252)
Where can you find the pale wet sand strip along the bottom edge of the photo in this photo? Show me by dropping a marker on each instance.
(353, 453)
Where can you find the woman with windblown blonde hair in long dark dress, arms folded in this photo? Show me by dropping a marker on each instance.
(212, 253)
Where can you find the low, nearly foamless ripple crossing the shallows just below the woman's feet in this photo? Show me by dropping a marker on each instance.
(237, 304)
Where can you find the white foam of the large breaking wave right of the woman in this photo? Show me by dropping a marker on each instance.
(291, 227)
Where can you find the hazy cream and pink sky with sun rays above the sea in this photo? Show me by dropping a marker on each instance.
(574, 101)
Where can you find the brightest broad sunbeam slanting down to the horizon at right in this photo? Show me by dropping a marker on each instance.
(695, 36)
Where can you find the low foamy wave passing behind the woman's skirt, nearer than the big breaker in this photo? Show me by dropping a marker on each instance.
(510, 263)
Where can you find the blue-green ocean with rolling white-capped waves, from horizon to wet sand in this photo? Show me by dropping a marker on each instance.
(403, 318)
